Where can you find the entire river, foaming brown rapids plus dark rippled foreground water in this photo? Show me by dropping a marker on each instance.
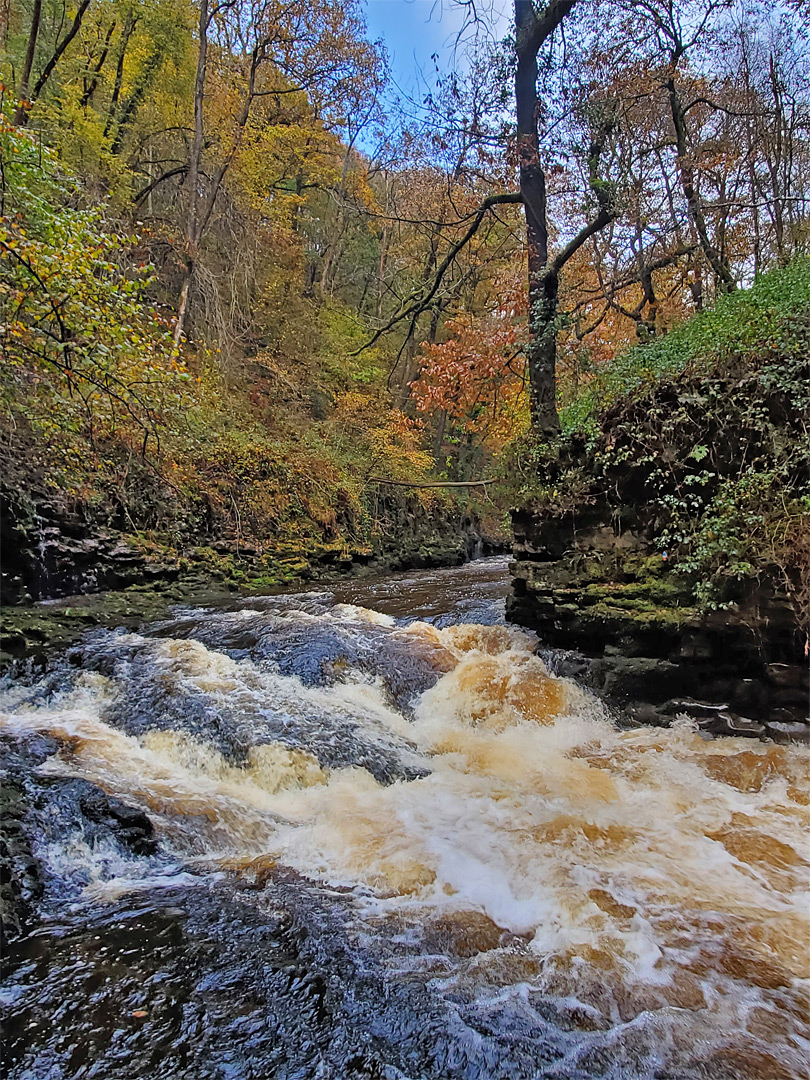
(391, 845)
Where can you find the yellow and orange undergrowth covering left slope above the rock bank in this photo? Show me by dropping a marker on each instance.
(98, 408)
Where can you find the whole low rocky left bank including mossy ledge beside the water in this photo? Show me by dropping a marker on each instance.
(109, 576)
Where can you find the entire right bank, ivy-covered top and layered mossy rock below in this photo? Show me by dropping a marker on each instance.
(667, 536)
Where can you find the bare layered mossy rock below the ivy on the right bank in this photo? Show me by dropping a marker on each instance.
(586, 584)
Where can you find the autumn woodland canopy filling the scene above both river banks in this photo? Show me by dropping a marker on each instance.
(237, 258)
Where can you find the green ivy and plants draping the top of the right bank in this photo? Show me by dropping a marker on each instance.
(704, 438)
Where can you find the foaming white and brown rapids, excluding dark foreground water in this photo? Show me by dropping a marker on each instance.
(654, 885)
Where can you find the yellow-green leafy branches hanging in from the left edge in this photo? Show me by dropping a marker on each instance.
(77, 331)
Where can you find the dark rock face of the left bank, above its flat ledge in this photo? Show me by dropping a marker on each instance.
(52, 549)
